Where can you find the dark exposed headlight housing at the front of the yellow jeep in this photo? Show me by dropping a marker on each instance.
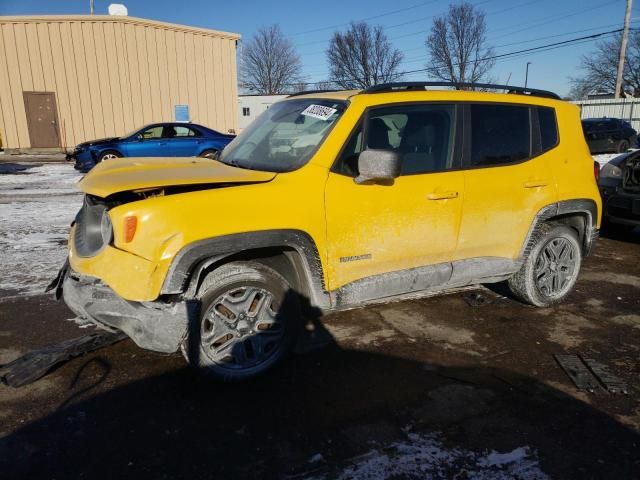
(94, 230)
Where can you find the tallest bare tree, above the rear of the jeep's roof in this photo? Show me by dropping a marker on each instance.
(457, 46)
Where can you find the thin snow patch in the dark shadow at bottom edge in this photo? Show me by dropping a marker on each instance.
(425, 457)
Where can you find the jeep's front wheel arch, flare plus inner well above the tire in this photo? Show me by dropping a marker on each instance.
(292, 253)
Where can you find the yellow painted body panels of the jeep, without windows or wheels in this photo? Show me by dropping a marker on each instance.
(400, 226)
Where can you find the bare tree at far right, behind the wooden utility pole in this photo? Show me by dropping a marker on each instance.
(599, 69)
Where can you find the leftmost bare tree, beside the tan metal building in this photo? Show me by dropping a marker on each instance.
(270, 64)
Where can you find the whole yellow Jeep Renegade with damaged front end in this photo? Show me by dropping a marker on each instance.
(334, 199)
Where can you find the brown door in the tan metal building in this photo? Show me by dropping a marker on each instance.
(42, 119)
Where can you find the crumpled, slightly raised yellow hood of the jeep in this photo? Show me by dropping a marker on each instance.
(127, 174)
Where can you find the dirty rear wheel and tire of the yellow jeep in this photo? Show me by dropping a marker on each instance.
(543, 281)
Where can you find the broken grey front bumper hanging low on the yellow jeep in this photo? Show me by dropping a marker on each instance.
(156, 326)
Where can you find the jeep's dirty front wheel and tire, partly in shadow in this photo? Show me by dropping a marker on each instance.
(223, 335)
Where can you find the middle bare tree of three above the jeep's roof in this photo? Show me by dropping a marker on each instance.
(362, 57)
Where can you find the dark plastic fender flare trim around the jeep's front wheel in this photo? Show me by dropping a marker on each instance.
(195, 257)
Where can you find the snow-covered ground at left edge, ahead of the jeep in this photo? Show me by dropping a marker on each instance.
(36, 209)
